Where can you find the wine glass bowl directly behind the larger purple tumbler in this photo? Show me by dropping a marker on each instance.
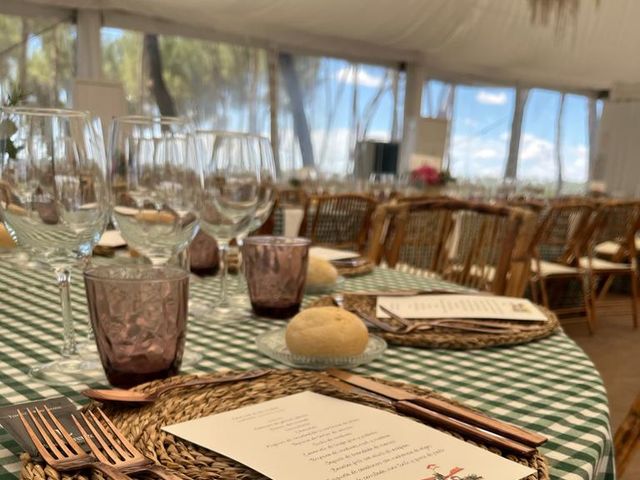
(154, 176)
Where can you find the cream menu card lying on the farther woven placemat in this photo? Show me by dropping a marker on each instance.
(460, 306)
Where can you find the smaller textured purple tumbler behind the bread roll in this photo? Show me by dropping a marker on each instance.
(276, 269)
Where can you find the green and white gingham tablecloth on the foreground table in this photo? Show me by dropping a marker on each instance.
(548, 386)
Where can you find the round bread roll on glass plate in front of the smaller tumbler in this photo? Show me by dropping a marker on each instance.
(326, 332)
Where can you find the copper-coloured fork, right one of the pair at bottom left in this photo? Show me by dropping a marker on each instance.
(117, 452)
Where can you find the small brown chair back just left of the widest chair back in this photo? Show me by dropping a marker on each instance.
(339, 221)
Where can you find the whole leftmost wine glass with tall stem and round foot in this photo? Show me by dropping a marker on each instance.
(54, 203)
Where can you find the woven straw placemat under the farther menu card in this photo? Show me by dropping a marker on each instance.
(442, 338)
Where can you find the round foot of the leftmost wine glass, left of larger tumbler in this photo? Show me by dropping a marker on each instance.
(70, 371)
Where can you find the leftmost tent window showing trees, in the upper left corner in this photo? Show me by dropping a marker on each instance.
(39, 55)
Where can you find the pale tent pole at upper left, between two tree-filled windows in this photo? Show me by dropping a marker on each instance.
(89, 58)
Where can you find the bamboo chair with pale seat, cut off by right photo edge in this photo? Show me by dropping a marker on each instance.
(615, 222)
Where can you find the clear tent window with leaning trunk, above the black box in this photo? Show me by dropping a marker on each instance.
(343, 103)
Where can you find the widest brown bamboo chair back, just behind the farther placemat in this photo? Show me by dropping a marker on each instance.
(475, 245)
